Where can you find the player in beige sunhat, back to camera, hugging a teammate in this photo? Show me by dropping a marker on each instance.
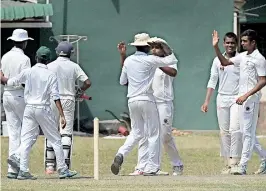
(138, 73)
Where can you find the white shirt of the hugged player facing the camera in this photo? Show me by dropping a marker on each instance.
(163, 85)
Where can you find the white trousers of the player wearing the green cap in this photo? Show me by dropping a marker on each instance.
(35, 116)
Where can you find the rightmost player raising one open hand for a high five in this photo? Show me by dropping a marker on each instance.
(252, 79)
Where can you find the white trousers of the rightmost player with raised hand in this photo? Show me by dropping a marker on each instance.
(248, 123)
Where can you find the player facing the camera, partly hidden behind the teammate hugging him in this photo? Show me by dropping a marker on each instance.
(163, 92)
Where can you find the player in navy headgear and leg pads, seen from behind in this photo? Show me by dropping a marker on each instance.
(67, 73)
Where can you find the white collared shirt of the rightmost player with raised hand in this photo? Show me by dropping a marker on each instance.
(251, 67)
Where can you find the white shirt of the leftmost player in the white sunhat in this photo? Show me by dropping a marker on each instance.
(12, 63)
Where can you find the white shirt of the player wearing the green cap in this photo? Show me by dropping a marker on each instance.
(40, 85)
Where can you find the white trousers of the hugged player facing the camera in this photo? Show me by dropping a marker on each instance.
(166, 110)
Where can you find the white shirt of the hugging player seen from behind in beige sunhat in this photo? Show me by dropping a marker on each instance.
(138, 71)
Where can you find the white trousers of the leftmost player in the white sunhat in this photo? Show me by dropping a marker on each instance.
(14, 105)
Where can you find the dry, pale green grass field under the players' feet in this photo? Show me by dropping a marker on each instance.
(200, 154)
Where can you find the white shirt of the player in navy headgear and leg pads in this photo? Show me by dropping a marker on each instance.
(67, 73)
